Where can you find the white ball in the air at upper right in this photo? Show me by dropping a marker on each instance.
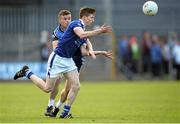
(150, 8)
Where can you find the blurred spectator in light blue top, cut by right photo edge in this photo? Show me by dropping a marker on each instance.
(176, 57)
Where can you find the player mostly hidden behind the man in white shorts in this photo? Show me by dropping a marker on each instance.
(64, 18)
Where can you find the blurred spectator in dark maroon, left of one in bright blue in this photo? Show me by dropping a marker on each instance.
(146, 46)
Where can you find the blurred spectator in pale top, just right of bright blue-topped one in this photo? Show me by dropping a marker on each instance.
(166, 56)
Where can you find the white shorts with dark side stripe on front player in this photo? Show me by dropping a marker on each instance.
(58, 65)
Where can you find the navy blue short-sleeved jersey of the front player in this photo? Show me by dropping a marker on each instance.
(70, 42)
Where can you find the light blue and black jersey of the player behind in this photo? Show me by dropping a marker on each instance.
(57, 34)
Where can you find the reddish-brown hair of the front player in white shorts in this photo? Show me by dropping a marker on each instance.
(85, 11)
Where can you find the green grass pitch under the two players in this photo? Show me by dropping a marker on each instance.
(141, 101)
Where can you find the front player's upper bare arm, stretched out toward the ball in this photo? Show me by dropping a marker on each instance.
(85, 34)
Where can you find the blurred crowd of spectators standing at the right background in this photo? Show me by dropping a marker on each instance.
(153, 54)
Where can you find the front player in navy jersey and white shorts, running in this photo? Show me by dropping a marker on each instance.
(60, 61)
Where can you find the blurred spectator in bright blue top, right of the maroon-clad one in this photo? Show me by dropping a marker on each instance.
(156, 57)
